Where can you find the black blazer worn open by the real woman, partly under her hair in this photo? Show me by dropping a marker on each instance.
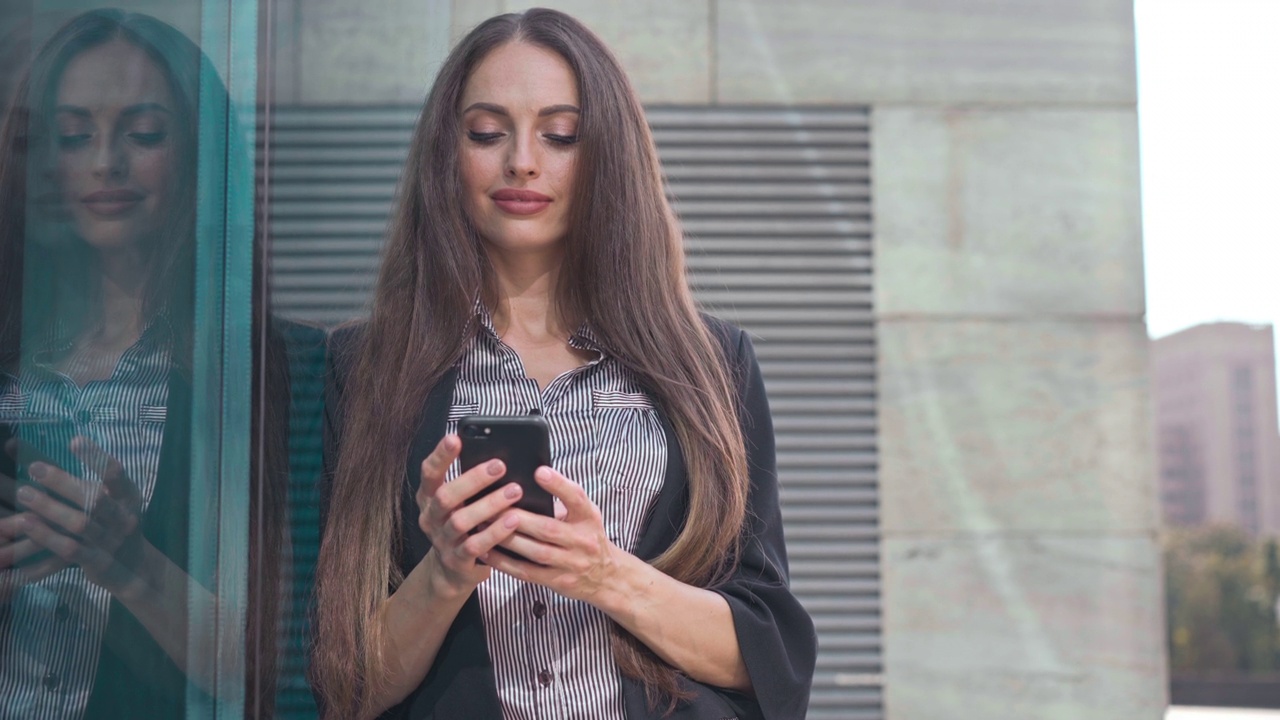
(774, 631)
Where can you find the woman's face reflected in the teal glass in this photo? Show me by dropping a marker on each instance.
(116, 154)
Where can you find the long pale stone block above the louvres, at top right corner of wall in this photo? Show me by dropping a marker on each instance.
(926, 52)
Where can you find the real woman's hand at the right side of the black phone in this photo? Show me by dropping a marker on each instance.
(572, 555)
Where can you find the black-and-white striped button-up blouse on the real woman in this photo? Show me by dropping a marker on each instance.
(552, 655)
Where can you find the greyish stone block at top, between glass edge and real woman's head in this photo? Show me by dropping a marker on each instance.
(371, 53)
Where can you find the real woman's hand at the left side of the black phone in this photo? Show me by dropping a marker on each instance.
(463, 535)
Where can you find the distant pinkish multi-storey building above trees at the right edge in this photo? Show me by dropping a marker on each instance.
(1218, 443)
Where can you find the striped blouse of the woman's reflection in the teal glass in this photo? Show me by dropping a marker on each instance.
(52, 630)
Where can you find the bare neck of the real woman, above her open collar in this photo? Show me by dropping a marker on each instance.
(525, 302)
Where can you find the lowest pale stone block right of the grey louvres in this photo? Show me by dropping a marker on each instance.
(1009, 628)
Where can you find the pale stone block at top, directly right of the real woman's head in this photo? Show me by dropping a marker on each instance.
(664, 45)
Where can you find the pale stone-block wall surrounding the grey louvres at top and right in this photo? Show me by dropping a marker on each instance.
(1021, 564)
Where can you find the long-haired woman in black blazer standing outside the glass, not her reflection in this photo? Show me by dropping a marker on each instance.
(536, 265)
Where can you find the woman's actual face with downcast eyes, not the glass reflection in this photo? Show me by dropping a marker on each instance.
(519, 148)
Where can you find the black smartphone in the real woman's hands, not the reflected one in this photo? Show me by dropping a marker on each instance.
(523, 443)
